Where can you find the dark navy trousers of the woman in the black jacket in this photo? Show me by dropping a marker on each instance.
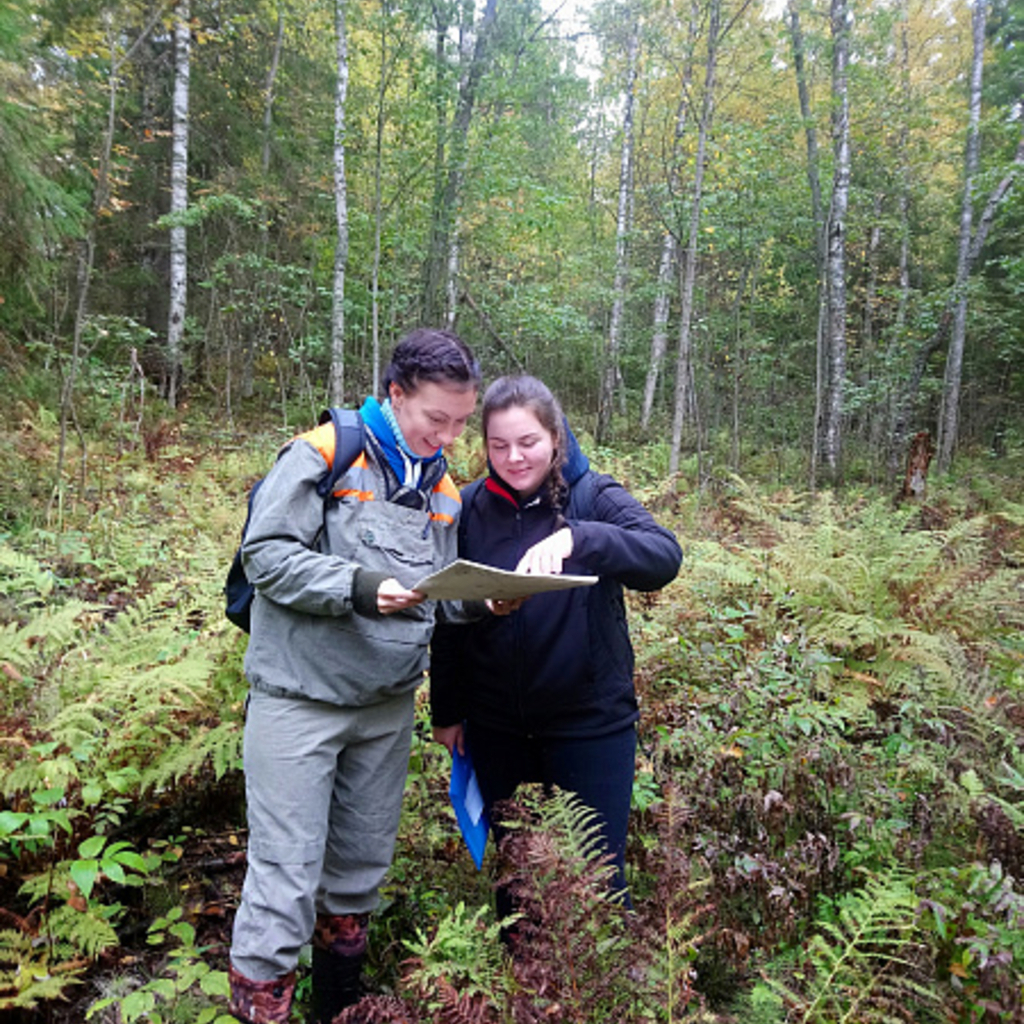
(600, 771)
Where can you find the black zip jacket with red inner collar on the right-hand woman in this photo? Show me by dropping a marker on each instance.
(563, 665)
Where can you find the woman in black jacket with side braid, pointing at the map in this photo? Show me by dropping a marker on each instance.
(546, 695)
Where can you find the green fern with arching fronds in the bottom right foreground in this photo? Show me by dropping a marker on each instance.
(860, 966)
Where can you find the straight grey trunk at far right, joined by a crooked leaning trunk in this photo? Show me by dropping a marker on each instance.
(955, 360)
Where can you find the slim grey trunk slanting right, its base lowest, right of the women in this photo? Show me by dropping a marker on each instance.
(686, 398)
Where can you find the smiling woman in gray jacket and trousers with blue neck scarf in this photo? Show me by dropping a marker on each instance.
(338, 646)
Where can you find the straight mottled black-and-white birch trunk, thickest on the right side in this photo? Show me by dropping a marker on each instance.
(835, 335)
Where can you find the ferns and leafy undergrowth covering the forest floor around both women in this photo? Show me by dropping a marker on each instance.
(828, 825)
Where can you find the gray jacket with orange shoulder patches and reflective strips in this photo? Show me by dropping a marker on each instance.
(316, 629)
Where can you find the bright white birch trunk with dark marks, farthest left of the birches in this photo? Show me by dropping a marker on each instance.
(180, 200)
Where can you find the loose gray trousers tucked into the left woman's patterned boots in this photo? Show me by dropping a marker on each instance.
(324, 788)
